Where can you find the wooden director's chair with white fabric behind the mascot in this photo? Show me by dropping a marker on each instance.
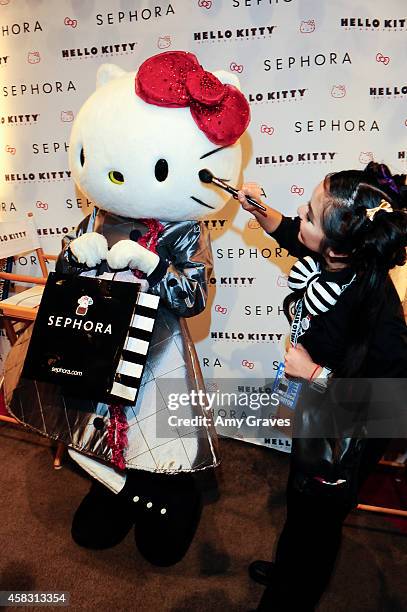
(19, 310)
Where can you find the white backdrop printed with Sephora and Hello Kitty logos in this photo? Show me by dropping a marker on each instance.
(327, 87)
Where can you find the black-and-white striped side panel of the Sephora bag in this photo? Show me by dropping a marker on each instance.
(132, 361)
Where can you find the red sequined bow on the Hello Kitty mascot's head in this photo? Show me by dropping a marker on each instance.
(175, 79)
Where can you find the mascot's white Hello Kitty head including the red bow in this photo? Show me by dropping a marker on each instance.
(140, 140)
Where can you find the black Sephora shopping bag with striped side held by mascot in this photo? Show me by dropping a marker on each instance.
(91, 336)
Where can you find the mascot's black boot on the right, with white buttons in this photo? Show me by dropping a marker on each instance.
(168, 508)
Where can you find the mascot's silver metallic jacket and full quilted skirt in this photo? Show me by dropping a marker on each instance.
(185, 264)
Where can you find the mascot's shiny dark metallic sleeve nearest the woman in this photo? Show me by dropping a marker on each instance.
(181, 277)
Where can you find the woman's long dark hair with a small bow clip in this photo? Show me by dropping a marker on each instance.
(373, 246)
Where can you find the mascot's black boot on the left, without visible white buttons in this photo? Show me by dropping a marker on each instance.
(103, 518)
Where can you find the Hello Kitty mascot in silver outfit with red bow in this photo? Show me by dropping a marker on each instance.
(137, 146)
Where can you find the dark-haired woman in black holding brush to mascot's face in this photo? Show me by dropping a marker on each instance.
(346, 322)
